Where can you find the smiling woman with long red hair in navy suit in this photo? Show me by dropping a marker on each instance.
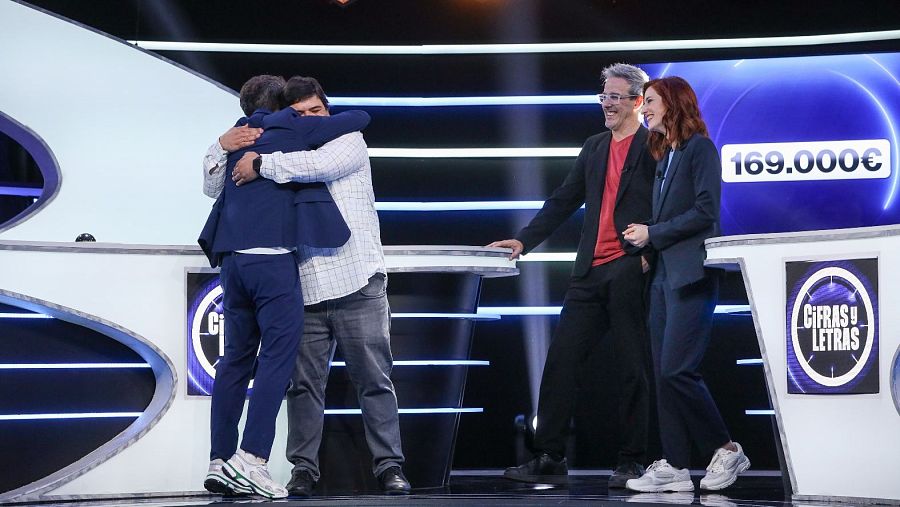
(683, 293)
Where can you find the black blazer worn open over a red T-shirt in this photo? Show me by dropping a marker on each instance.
(584, 185)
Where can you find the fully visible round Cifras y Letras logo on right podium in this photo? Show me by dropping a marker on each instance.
(832, 326)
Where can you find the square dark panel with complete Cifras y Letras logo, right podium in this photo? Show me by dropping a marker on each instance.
(832, 327)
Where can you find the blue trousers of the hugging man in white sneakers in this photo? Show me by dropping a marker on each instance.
(263, 309)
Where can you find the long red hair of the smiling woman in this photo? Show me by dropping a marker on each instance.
(682, 119)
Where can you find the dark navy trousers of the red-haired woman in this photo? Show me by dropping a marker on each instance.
(680, 327)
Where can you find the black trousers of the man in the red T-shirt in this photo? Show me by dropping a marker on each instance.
(609, 299)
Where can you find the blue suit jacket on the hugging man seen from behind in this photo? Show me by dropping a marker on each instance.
(263, 213)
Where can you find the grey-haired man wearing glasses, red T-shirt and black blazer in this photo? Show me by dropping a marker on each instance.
(613, 178)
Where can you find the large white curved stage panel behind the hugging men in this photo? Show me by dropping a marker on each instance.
(126, 128)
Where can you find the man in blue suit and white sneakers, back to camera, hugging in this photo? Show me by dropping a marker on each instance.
(253, 233)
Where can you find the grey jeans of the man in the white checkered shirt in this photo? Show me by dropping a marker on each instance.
(359, 324)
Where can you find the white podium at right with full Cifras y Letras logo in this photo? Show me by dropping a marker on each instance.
(838, 446)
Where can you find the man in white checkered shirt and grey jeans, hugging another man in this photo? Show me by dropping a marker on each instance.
(344, 290)
